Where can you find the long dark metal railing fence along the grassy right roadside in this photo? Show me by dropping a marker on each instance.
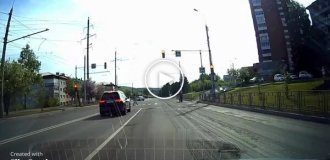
(305, 102)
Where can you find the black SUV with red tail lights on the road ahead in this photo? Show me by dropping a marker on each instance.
(114, 103)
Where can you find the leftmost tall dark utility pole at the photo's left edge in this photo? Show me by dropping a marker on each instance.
(3, 63)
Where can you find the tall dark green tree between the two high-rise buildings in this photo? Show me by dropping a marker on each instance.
(307, 42)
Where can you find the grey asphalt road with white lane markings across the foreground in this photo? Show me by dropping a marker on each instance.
(162, 130)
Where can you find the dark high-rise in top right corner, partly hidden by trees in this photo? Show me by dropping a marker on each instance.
(320, 15)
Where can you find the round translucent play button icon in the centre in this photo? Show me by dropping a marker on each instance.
(164, 73)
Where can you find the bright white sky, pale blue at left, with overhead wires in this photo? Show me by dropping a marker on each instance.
(137, 31)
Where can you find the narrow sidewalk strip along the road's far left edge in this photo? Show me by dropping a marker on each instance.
(33, 111)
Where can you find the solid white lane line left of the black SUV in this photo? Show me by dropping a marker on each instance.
(44, 129)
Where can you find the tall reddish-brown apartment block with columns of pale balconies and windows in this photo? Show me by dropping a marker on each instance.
(272, 36)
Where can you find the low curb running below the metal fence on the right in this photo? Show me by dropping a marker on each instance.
(273, 112)
